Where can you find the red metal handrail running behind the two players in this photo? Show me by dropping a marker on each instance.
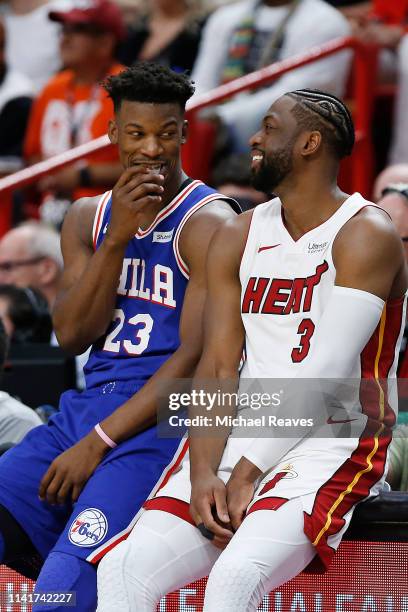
(361, 96)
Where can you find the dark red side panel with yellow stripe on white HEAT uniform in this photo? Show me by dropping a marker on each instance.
(360, 472)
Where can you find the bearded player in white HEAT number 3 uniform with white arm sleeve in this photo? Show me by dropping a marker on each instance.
(313, 282)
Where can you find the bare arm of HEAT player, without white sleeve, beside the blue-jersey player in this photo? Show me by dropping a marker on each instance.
(224, 339)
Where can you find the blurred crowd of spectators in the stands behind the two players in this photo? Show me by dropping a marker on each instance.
(54, 55)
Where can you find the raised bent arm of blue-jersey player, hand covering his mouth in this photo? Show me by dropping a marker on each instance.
(87, 293)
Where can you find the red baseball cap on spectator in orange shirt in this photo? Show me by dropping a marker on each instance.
(102, 13)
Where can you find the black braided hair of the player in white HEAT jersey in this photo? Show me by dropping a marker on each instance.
(318, 110)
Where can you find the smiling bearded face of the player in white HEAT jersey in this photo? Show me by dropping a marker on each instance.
(273, 146)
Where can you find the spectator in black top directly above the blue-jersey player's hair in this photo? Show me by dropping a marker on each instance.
(168, 32)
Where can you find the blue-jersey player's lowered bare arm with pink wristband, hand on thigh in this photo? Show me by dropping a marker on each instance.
(69, 472)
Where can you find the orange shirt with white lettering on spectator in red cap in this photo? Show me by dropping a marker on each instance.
(65, 115)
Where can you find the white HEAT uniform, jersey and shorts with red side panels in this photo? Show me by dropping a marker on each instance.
(286, 286)
